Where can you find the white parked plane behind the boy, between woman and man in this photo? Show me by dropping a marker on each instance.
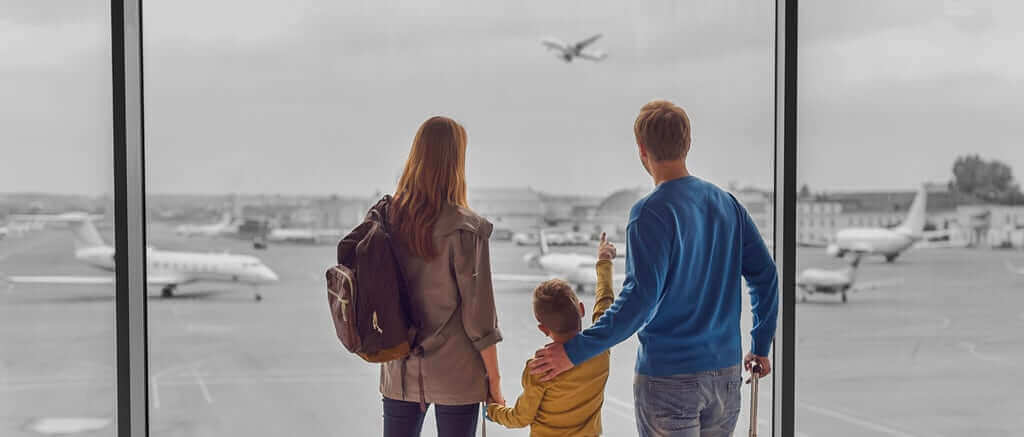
(577, 270)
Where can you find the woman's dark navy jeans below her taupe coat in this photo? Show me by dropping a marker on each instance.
(404, 419)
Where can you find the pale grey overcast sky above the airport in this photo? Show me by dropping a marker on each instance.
(318, 97)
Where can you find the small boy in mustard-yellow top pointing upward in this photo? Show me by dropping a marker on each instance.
(570, 405)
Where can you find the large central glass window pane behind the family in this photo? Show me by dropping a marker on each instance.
(270, 134)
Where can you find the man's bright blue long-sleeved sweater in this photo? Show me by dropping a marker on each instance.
(689, 244)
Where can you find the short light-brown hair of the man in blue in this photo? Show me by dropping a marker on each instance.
(664, 129)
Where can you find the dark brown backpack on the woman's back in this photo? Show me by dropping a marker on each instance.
(368, 292)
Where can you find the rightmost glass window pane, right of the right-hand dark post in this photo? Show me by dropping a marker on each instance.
(899, 108)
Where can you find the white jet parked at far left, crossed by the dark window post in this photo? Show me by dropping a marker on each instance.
(166, 270)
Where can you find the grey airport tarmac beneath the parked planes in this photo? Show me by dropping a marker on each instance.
(936, 353)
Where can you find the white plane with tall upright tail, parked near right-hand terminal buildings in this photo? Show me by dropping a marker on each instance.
(881, 241)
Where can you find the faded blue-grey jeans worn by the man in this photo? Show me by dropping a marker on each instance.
(705, 405)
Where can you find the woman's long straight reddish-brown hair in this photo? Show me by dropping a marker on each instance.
(435, 177)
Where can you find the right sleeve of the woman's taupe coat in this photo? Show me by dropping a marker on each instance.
(472, 263)
